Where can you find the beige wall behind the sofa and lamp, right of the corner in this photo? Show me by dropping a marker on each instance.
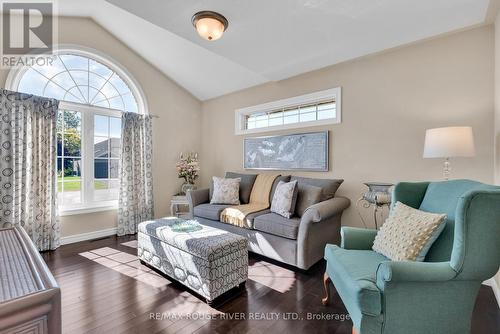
(388, 100)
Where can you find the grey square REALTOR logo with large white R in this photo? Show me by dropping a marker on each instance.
(27, 28)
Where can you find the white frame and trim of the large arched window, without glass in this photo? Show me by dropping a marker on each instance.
(87, 118)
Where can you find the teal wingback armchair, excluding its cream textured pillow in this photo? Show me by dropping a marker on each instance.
(434, 296)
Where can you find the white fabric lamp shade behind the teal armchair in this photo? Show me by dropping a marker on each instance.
(456, 141)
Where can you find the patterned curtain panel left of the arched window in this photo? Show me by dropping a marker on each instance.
(27, 163)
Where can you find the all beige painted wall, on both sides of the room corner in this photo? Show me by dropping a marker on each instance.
(388, 101)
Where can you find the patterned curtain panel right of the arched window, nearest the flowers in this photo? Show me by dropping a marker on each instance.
(135, 203)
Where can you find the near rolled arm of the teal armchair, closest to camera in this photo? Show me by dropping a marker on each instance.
(410, 271)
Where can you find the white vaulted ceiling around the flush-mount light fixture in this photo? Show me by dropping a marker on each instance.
(269, 40)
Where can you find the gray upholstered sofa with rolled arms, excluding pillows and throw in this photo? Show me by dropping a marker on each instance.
(299, 241)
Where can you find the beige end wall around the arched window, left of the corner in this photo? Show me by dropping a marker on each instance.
(176, 130)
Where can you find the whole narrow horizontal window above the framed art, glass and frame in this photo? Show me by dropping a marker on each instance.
(318, 108)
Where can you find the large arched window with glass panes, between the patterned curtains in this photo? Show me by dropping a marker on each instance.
(93, 92)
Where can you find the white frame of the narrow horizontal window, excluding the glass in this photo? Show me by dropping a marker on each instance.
(316, 97)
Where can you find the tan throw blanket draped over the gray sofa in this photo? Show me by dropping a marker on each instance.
(259, 200)
